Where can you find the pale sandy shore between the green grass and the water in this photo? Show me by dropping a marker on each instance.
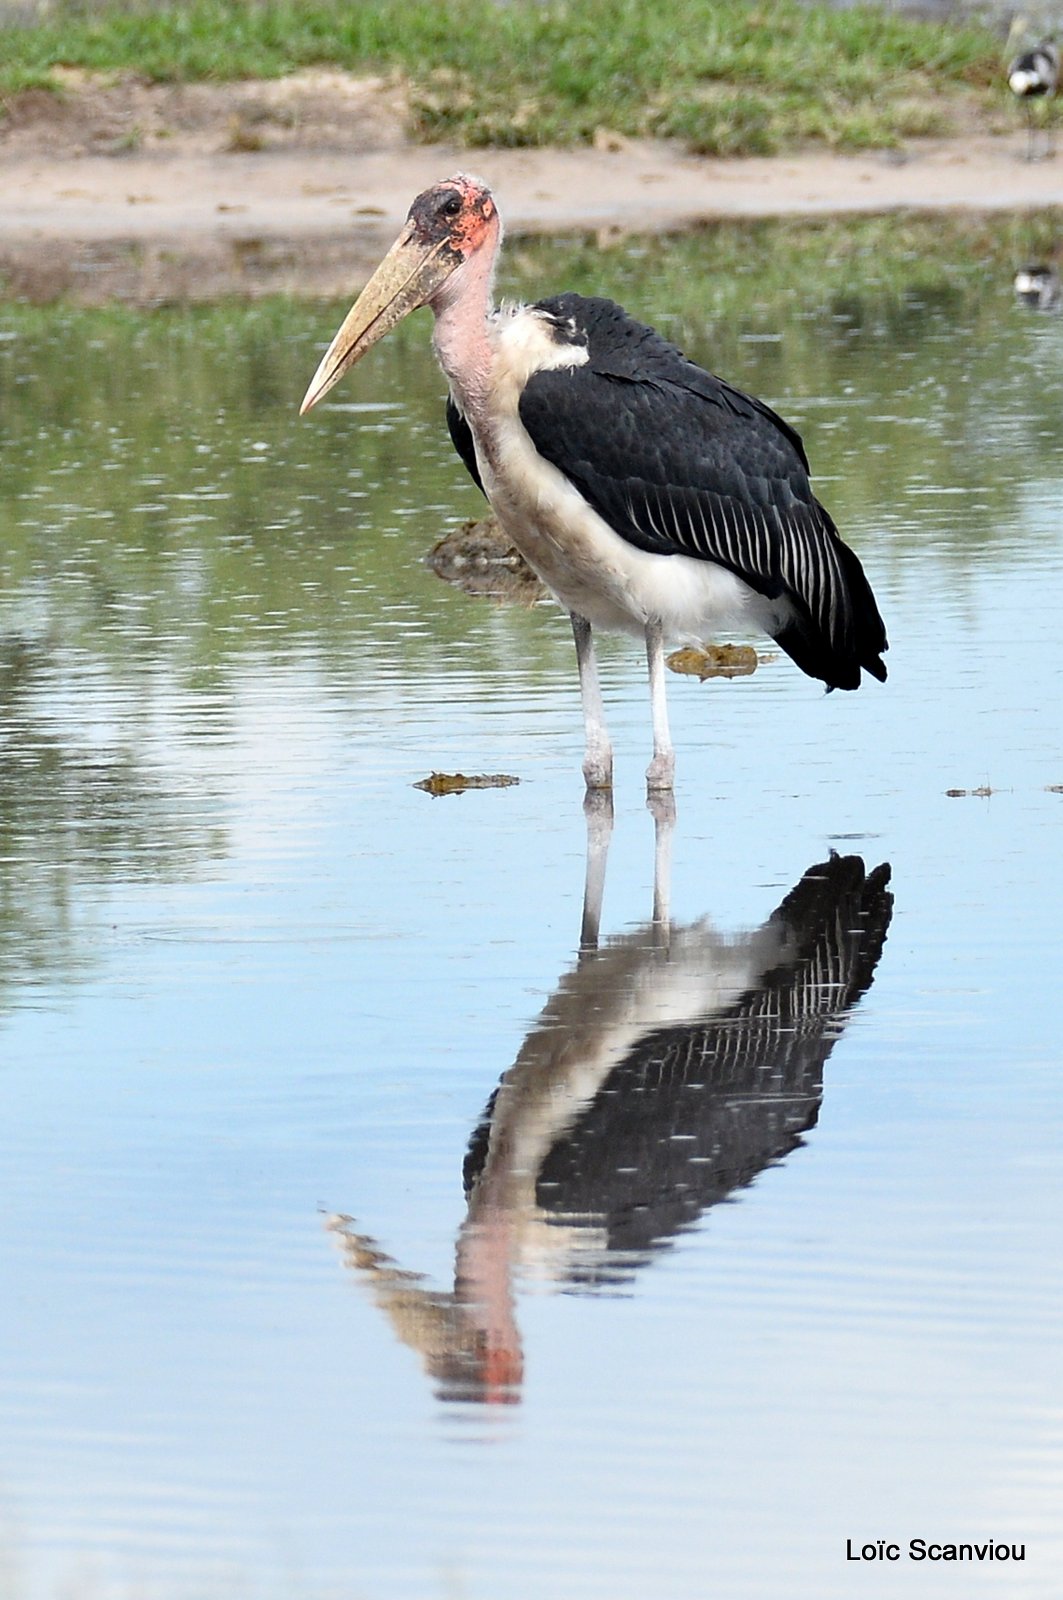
(175, 202)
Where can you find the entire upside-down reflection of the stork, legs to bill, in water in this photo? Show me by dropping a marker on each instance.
(668, 1070)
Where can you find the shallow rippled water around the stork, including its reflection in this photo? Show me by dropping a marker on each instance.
(790, 1270)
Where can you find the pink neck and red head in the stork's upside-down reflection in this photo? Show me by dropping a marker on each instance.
(484, 1289)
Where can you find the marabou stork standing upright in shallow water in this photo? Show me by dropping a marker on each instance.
(649, 495)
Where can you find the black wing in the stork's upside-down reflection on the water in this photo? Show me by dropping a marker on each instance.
(699, 1110)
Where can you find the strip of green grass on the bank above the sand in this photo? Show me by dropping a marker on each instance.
(723, 76)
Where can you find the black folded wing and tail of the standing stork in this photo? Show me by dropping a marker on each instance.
(680, 463)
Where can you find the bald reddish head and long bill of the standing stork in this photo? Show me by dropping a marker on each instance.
(446, 225)
